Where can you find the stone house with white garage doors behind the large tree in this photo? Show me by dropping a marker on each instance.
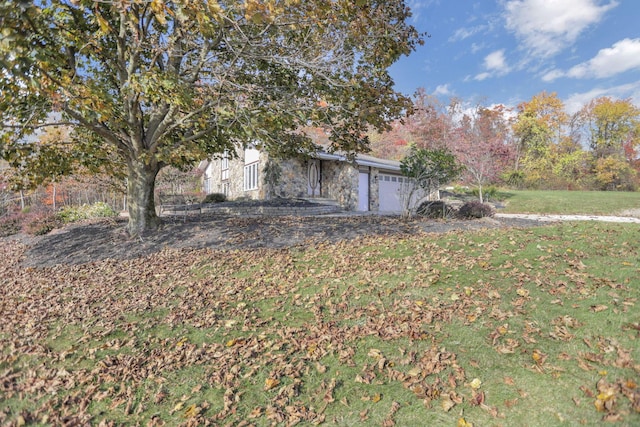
(365, 184)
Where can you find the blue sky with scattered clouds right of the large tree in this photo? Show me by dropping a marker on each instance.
(506, 51)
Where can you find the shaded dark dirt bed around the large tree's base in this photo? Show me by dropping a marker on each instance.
(98, 240)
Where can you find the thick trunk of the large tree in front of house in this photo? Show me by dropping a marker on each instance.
(140, 198)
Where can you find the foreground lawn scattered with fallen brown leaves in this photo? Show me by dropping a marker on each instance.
(494, 327)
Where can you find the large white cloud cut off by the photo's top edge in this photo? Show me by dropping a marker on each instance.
(546, 27)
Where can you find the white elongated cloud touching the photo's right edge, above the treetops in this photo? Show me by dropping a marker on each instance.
(622, 56)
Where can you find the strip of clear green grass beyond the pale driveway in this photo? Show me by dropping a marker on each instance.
(570, 202)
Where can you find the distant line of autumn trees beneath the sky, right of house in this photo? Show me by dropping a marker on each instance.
(535, 146)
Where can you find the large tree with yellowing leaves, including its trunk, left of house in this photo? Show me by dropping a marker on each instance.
(150, 83)
